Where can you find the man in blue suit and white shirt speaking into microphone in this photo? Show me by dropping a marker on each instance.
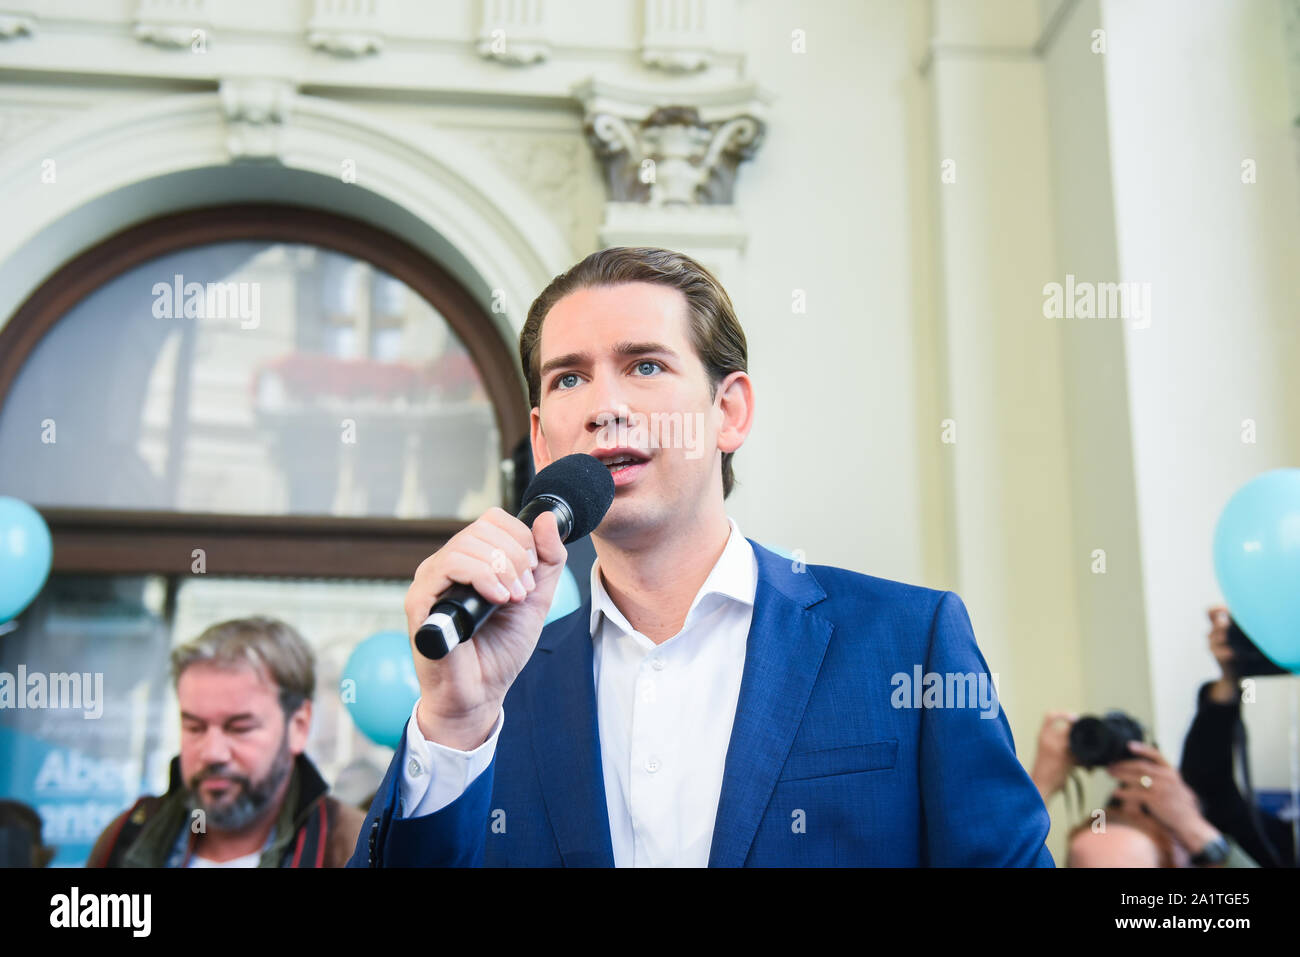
(714, 703)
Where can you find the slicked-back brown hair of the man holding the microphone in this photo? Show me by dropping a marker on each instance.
(716, 332)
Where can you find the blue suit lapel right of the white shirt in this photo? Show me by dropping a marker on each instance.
(783, 656)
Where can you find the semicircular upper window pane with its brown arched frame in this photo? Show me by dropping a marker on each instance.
(304, 393)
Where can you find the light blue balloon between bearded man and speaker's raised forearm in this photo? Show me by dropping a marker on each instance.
(380, 688)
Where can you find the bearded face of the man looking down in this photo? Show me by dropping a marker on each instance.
(237, 750)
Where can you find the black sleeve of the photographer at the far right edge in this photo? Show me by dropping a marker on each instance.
(1207, 768)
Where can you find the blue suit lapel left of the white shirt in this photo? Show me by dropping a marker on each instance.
(566, 743)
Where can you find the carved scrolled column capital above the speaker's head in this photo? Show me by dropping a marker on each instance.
(673, 158)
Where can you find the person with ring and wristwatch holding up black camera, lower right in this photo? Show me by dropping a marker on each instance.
(1152, 819)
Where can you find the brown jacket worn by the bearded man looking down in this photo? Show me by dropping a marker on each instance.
(313, 830)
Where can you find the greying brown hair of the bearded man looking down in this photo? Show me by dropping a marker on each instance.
(267, 646)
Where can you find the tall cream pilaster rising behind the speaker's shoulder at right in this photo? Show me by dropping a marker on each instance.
(1009, 470)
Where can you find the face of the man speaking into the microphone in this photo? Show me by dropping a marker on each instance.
(618, 370)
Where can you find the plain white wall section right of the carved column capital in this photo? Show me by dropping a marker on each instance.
(834, 464)
